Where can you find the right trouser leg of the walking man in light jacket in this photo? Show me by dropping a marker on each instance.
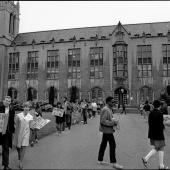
(112, 144)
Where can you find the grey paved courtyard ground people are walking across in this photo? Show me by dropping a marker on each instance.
(78, 148)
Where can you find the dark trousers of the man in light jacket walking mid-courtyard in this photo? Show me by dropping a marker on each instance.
(107, 138)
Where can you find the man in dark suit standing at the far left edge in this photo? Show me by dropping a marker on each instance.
(7, 131)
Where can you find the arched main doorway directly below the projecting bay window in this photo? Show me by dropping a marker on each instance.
(120, 96)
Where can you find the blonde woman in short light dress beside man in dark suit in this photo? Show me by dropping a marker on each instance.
(23, 123)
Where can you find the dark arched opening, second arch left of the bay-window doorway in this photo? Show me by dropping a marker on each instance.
(74, 93)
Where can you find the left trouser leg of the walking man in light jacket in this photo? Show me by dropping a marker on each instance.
(102, 147)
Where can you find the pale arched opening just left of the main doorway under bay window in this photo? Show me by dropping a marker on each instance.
(97, 94)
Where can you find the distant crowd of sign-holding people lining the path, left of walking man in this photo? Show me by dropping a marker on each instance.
(83, 109)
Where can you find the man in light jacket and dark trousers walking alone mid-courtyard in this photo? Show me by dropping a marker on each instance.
(107, 124)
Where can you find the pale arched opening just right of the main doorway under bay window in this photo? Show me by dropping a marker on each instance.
(145, 93)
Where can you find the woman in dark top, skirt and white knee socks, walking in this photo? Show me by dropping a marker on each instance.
(156, 135)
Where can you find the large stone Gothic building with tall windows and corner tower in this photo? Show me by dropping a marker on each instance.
(130, 62)
